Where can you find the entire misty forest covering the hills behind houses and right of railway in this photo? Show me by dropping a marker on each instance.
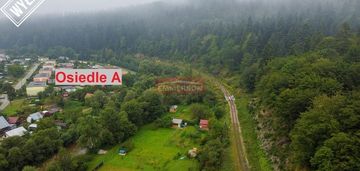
(300, 60)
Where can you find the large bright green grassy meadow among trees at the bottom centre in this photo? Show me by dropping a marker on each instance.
(154, 149)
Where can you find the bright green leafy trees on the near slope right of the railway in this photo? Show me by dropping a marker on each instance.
(306, 103)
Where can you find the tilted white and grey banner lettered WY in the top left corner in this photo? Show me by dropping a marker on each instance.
(19, 10)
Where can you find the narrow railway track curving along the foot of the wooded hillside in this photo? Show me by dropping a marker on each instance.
(241, 157)
